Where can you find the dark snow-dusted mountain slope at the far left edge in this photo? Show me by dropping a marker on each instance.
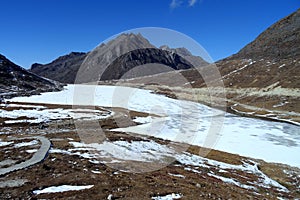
(14, 80)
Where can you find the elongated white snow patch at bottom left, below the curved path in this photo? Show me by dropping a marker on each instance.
(62, 188)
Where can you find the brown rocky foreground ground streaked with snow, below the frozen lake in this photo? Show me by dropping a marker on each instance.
(158, 169)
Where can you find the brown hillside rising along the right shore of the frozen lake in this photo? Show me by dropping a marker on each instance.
(261, 80)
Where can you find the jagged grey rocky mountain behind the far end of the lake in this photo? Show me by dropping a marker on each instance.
(91, 66)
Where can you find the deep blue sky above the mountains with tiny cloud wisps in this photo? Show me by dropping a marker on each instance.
(41, 30)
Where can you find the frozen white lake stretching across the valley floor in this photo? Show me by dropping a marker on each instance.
(188, 122)
